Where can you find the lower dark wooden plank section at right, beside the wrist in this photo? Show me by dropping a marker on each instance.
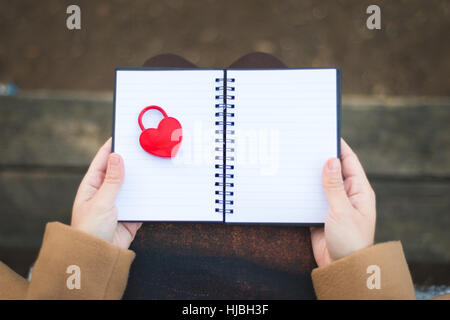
(415, 212)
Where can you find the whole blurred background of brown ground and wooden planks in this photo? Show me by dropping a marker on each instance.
(396, 100)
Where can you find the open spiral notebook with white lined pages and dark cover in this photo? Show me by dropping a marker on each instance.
(254, 144)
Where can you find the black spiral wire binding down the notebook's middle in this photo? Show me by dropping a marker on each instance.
(224, 150)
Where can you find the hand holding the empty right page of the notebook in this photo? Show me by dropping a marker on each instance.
(350, 221)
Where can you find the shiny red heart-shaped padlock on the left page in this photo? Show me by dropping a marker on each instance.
(163, 141)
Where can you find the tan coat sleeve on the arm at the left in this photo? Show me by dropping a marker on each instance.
(103, 268)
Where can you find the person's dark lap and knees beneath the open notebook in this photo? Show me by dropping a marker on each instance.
(214, 261)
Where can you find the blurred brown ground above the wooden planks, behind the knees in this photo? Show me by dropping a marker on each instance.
(408, 56)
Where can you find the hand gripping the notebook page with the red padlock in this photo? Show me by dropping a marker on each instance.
(94, 210)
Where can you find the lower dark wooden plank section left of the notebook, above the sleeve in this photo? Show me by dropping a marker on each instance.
(31, 199)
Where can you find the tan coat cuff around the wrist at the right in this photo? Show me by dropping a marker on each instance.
(355, 276)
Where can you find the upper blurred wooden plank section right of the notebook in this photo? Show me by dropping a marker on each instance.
(400, 141)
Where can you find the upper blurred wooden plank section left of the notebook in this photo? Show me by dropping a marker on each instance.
(52, 132)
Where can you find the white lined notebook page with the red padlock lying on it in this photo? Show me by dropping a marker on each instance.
(162, 189)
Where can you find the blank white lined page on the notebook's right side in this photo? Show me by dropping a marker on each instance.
(285, 130)
